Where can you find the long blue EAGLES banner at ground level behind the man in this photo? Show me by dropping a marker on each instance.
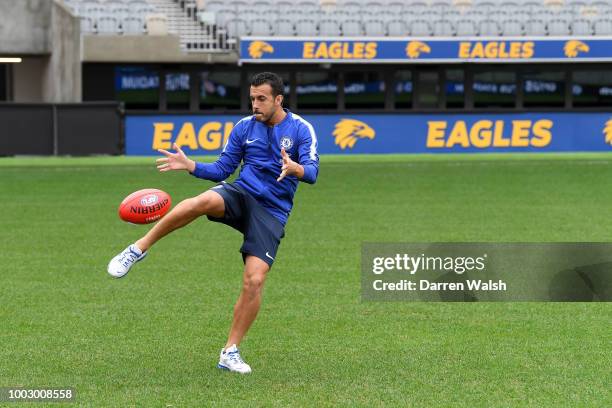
(364, 134)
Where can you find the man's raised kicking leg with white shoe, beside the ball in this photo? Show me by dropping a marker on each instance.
(208, 203)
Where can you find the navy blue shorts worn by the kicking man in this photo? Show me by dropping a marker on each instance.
(261, 230)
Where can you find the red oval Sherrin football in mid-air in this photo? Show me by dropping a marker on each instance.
(145, 206)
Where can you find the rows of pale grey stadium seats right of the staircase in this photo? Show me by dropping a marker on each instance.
(434, 17)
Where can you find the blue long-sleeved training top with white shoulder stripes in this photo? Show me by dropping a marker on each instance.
(258, 146)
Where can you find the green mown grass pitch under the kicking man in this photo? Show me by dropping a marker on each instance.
(152, 339)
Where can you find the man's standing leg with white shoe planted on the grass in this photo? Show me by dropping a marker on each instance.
(245, 312)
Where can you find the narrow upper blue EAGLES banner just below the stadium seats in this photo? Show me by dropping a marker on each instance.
(414, 50)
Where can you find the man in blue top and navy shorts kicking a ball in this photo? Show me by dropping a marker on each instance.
(277, 149)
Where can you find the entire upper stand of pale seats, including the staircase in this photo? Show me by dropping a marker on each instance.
(212, 25)
